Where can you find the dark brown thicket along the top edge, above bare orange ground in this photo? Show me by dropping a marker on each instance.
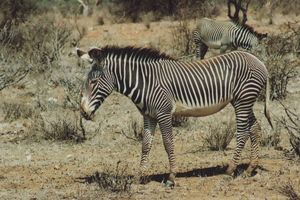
(133, 10)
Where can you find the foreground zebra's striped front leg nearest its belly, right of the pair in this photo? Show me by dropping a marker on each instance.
(165, 124)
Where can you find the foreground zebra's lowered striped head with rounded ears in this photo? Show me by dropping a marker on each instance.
(97, 86)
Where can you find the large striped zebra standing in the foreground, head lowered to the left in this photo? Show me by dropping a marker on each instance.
(161, 86)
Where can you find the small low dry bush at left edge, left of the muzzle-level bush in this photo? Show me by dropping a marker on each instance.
(14, 111)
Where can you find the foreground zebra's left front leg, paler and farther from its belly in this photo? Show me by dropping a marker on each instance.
(149, 130)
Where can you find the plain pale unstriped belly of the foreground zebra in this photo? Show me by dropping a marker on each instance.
(189, 111)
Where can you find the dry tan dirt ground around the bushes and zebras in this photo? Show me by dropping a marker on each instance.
(60, 170)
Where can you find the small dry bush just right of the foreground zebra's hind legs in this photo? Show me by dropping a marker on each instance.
(272, 139)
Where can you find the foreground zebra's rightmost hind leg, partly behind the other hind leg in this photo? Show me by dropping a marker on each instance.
(255, 135)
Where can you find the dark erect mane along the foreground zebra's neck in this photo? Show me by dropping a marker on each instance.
(135, 51)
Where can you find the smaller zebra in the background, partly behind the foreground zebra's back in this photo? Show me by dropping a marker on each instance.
(223, 35)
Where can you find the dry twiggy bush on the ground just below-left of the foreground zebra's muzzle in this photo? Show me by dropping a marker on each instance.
(58, 127)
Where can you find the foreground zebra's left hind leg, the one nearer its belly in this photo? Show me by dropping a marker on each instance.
(242, 136)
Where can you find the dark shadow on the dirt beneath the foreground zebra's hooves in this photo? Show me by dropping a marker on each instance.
(162, 177)
